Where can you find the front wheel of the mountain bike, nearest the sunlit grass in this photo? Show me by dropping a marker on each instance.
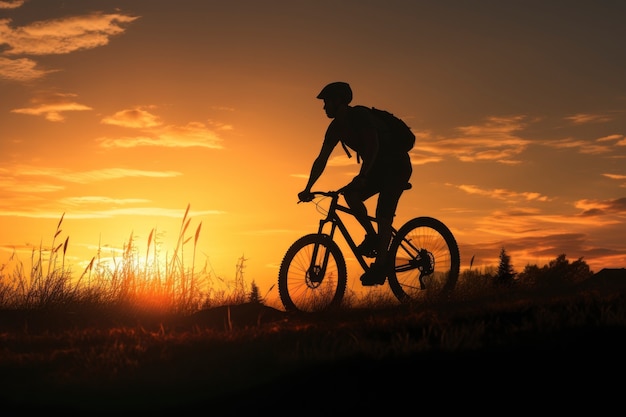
(312, 275)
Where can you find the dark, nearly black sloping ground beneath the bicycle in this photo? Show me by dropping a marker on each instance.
(506, 351)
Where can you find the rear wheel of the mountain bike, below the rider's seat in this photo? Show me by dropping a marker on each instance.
(426, 260)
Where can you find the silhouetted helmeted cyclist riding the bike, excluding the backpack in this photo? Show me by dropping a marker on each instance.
(383, 171)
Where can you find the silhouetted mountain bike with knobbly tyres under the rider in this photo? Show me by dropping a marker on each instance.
(423, 258)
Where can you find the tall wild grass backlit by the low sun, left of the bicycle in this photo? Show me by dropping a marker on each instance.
(133, 281)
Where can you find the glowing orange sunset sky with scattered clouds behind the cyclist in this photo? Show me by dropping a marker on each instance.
(120, 115)
